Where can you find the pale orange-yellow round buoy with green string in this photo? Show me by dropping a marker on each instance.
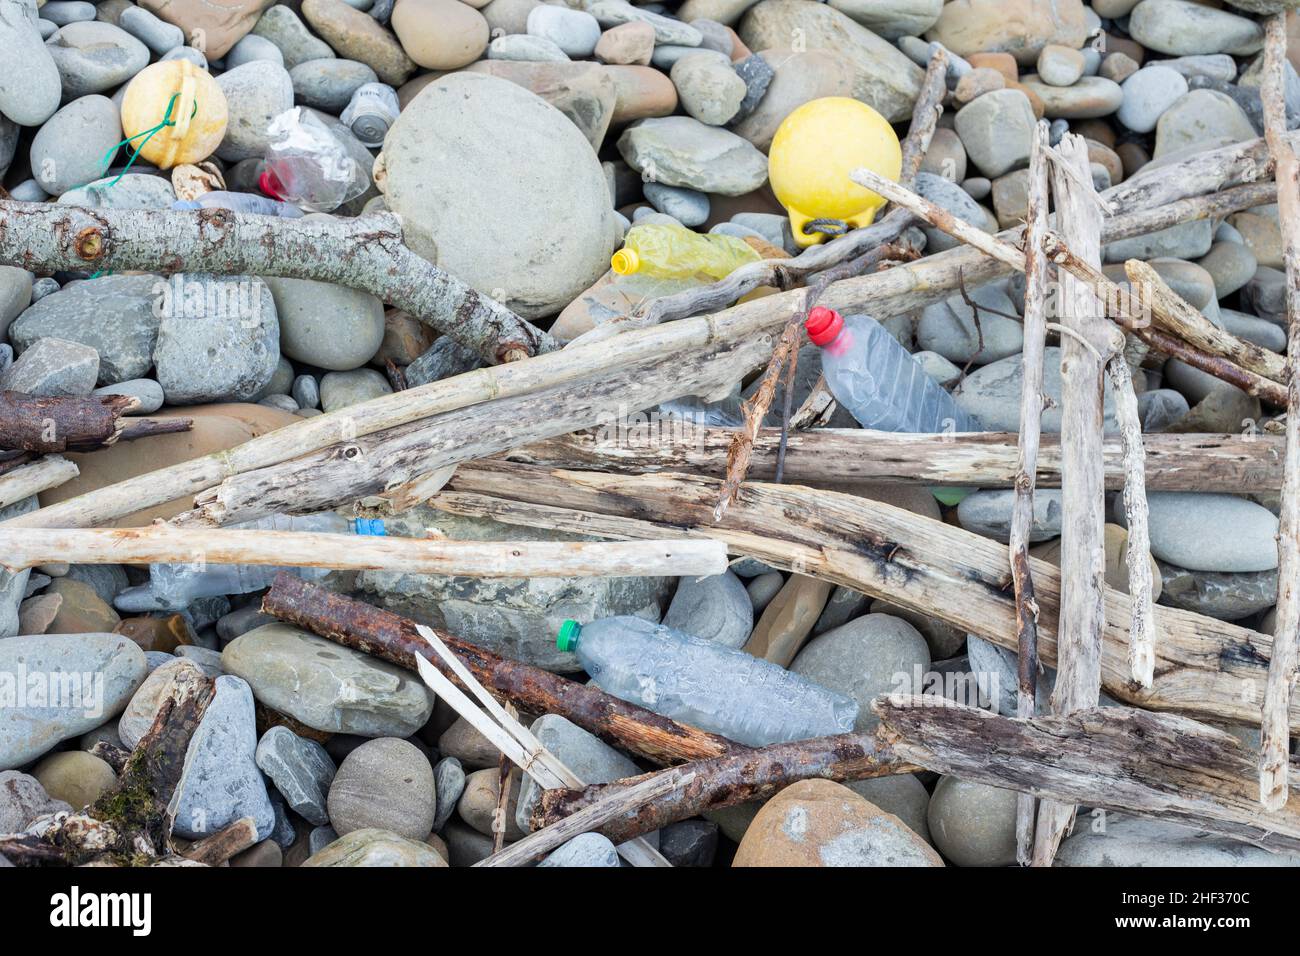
(193, 128)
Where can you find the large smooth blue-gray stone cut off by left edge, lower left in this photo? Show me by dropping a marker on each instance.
(55, 687)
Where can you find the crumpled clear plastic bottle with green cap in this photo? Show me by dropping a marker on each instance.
(705, 685)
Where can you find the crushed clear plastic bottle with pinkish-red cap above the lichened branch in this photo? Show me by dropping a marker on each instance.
(309, 165)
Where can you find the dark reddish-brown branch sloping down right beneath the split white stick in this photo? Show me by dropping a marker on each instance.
(396, 639)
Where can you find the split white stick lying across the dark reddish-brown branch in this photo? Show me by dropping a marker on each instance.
(521, 746)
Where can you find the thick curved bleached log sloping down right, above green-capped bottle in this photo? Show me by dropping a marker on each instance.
(929, 566)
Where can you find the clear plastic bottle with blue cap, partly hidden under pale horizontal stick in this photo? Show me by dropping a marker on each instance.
(174, 587)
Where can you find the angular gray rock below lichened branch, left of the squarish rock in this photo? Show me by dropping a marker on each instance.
(114, 315)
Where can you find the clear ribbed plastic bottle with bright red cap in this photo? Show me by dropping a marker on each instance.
(878, 382)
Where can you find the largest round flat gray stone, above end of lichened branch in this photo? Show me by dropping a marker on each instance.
(466, 131)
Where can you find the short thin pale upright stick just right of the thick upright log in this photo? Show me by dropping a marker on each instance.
(1142, 630)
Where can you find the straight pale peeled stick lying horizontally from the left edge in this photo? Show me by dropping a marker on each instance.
(166, 544)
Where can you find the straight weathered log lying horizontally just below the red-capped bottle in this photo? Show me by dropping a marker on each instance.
(1193, 462)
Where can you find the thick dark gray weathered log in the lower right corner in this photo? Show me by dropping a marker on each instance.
(1182, 772)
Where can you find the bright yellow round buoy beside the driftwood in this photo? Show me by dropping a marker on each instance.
(813, 153)
